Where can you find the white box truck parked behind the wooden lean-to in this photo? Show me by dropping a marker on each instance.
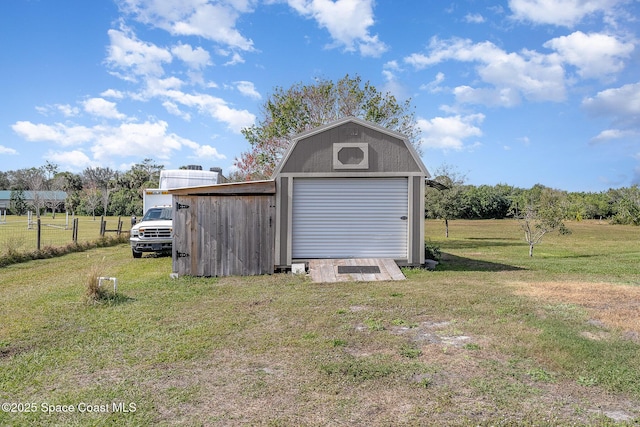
(154, 232)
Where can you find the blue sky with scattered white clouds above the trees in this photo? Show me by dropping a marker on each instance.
(517, 92)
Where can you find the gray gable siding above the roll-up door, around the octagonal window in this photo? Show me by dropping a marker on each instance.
(314, 154)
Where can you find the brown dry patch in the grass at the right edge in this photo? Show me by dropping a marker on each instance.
(615, 306)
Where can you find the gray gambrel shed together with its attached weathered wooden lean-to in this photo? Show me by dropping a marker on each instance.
(349, 189)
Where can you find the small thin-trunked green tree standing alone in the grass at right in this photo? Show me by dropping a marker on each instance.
(544, 213)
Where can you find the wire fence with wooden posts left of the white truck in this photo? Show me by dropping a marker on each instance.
(27, 233)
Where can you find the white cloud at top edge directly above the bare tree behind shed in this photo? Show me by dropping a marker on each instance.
(347, 21)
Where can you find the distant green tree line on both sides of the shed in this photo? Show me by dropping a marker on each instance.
(103, 191)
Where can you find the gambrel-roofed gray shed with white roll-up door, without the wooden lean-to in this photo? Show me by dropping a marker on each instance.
(350, 189)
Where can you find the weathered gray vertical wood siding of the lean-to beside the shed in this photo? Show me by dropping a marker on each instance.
(223, 235)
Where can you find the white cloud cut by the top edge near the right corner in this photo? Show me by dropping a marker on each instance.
(559, 12)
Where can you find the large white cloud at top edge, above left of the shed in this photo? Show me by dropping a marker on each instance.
(214, 21)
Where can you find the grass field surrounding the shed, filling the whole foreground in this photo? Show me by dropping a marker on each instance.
(492, 337)
